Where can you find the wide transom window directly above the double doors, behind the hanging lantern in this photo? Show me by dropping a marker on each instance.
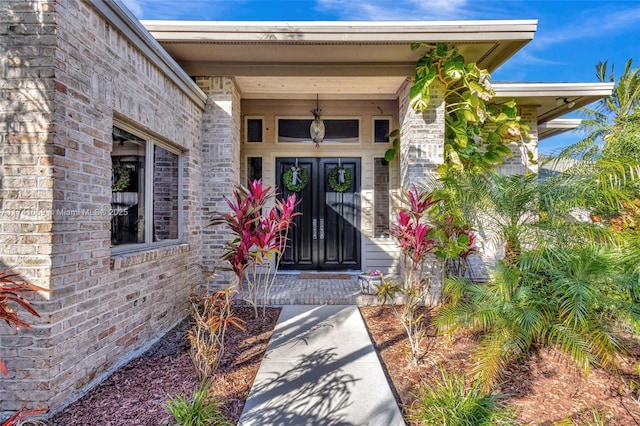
(336, 130)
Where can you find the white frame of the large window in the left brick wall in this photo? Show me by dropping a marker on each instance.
(150, 142)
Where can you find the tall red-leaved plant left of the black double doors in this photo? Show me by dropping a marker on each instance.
(259, 237)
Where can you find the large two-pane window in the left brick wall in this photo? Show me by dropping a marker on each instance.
(145, 192)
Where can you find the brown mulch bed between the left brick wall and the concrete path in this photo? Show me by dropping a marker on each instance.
(136, 394)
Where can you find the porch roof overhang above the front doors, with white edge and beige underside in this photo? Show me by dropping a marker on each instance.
(338, 60)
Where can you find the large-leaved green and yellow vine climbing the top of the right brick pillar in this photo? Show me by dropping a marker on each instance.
(477, 133)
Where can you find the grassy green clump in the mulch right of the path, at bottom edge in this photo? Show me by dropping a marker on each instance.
(449, 401)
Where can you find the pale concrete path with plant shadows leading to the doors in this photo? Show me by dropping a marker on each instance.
(320, 369)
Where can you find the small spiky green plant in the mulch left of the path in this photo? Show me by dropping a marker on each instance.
(197, 410)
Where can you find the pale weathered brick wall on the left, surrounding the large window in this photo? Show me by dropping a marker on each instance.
(67, 74)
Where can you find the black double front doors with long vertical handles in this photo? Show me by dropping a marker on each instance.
(326, 236)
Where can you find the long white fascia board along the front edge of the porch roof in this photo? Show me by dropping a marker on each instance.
(342, 31)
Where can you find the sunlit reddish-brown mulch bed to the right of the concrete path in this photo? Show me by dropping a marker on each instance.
(545, 389)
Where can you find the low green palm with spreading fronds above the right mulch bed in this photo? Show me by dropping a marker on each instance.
(565, 297)
